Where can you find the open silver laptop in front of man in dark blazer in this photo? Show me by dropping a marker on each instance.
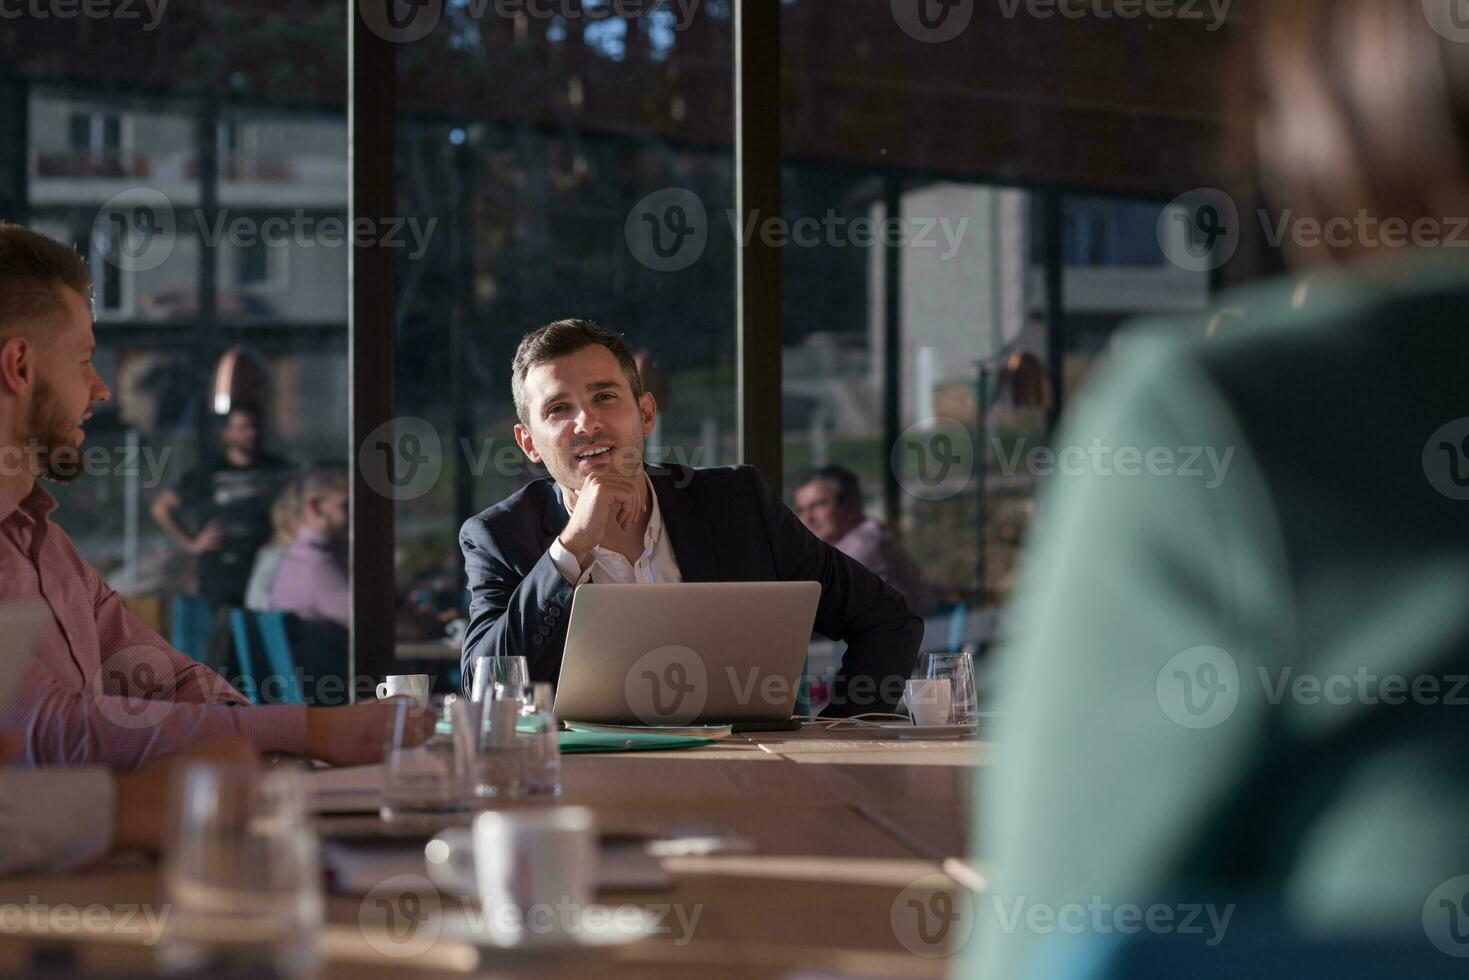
(681, 655)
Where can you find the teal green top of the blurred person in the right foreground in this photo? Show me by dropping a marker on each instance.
(1208, 681)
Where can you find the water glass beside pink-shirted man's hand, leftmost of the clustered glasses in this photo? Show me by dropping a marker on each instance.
(430, 778)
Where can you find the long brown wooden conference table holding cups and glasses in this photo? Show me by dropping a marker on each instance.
(851, 831)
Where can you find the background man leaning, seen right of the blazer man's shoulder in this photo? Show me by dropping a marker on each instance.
(829, 502)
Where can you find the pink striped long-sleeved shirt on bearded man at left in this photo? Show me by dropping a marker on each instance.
(105, 690)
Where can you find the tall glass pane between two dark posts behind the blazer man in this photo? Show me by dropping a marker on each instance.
(533, 152)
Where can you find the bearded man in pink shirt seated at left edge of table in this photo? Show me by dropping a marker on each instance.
(105, 690)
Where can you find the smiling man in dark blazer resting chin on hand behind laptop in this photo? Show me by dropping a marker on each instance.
(603, 516)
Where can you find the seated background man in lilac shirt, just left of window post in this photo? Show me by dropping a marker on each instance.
(312, 580)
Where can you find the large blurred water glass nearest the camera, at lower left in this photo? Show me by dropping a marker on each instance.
(242, 873)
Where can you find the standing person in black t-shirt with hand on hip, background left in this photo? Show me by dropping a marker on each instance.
(227, 503)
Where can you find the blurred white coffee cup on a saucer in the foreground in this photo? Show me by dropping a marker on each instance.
(534, 871)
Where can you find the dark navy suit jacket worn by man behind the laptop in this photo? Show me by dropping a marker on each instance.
(725, 525)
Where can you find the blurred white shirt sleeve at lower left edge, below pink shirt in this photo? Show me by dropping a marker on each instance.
(54, 819)
